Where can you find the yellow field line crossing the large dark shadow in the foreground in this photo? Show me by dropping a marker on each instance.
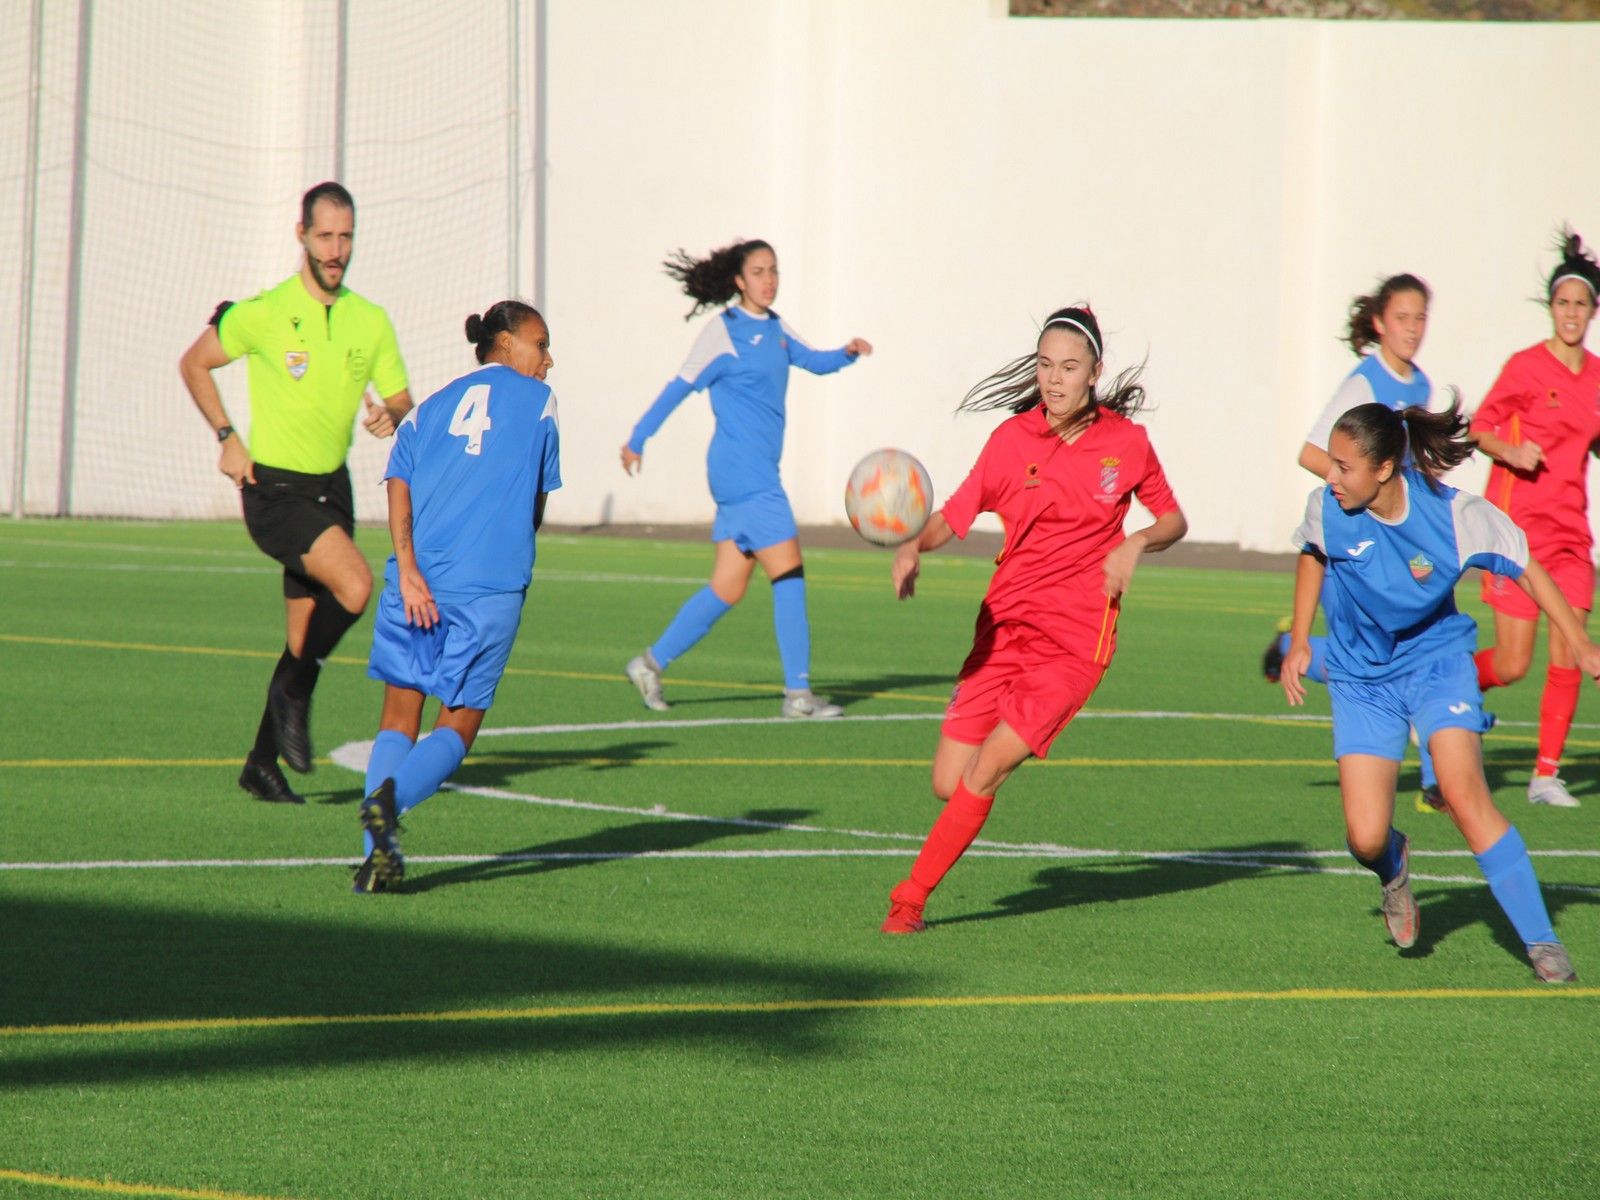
(834, 1006)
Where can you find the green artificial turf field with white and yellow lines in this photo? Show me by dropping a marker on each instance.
(670, 983)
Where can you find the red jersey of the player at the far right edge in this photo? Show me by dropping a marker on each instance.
(1537, 399)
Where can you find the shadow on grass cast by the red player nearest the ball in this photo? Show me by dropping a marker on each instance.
(1111, 881)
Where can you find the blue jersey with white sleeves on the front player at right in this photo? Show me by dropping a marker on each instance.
(1390, 593)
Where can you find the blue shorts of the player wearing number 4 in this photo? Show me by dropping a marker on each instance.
(460, 660)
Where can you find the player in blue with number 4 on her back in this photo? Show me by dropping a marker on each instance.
(468, 479)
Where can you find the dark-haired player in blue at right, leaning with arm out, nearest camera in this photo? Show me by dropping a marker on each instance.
(1385, 546)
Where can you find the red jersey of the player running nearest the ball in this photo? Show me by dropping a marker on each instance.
(1063, 508)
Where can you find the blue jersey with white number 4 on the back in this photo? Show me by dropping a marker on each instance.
(476, 455)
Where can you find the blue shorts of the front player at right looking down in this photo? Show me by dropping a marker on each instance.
(1378, 718)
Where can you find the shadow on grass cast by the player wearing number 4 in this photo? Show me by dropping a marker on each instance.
(618, 842)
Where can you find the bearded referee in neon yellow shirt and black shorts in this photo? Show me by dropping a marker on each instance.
(314, 348)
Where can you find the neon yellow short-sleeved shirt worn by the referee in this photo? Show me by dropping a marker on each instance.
(310, 367)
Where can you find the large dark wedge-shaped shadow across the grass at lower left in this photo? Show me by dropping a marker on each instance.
(519, 991)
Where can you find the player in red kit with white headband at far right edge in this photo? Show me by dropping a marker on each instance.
(1540, 423)
